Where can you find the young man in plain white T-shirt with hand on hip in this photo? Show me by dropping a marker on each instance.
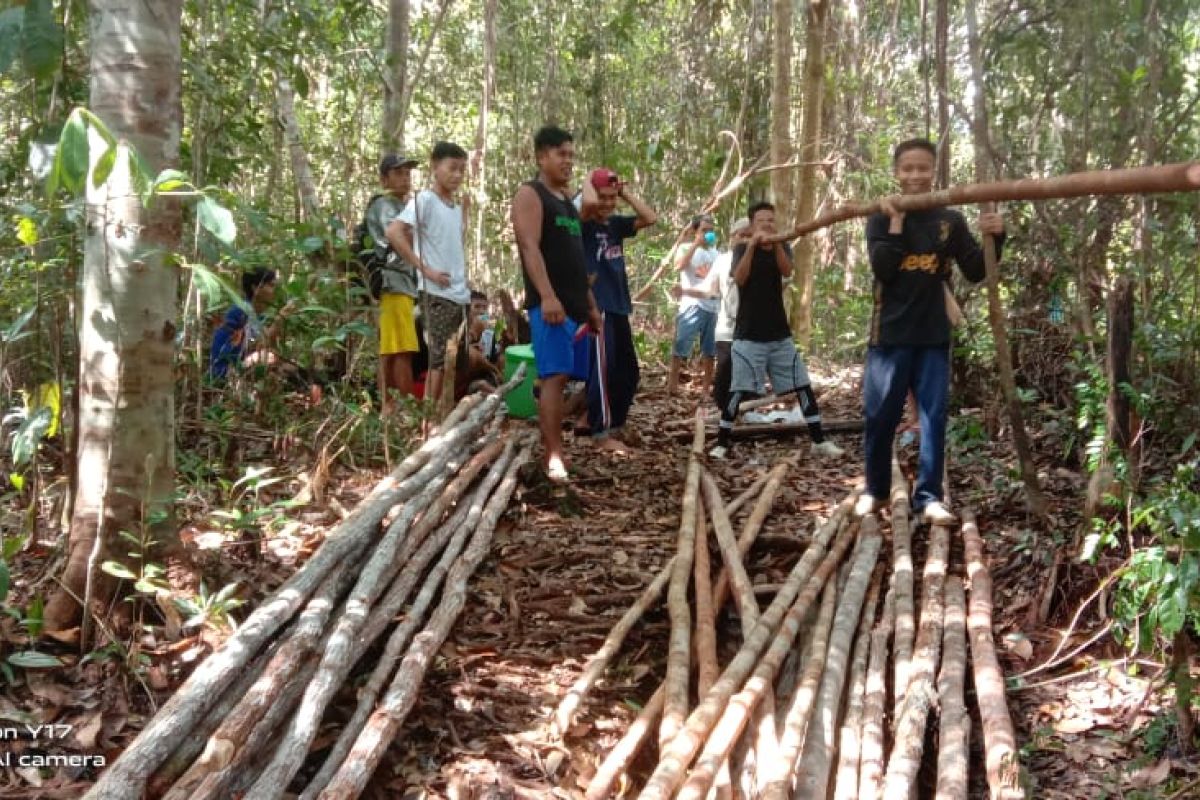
(429, 233)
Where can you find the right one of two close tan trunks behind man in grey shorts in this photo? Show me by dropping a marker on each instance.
(811, 143)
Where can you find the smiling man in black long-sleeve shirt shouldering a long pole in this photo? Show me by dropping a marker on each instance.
(910, 338)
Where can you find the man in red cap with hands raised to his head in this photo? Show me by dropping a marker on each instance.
(614, 372)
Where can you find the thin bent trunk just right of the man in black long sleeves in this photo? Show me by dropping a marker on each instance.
(1036, 501)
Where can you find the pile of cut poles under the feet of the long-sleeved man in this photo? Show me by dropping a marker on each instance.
(832, 687)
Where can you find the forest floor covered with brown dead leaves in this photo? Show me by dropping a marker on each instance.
(566, 566)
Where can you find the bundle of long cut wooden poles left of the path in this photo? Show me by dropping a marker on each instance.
(242, 725)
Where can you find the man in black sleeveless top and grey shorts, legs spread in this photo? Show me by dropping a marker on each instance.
(763, 340)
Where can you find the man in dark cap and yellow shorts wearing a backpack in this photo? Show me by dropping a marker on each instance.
(398, 326)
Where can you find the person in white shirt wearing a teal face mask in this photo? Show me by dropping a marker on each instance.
(697, 317)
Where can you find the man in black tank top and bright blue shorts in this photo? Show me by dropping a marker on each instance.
(561, 305)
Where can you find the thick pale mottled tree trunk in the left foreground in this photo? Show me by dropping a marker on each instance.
(127, 461)
